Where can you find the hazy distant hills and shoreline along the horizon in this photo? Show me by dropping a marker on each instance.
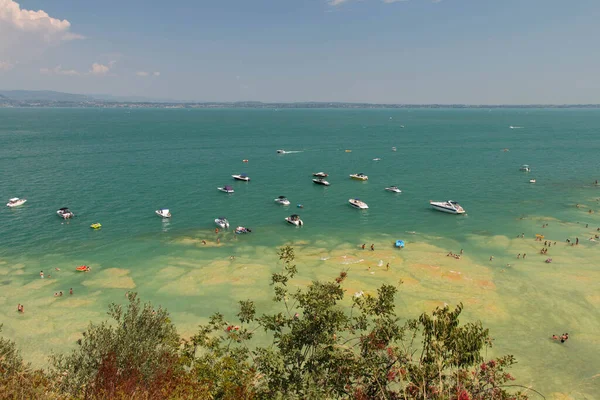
(48, 98)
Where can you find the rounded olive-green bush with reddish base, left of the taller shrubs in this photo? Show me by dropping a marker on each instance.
(140, 347)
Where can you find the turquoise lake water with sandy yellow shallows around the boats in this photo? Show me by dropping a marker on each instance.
(117, 166)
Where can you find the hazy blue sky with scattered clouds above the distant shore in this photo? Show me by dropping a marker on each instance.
(375, 51)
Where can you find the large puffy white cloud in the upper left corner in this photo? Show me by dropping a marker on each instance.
(12, 16)
